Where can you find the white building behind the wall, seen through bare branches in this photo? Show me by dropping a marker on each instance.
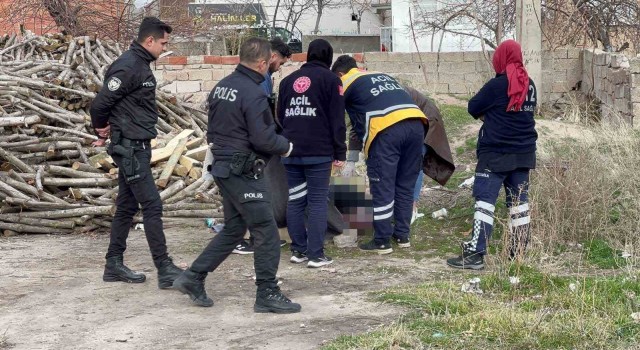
(401, 37)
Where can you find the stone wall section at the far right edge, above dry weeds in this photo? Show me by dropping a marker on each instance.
(614, 80)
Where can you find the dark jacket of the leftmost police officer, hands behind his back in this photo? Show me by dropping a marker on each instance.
(127, 101)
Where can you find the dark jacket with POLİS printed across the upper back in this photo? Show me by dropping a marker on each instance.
(240, 118)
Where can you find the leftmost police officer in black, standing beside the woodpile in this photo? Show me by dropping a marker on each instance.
(126, 110)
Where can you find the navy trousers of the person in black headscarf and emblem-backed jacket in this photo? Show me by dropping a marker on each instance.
(308, 189)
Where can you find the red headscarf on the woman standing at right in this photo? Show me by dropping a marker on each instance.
(508, 60)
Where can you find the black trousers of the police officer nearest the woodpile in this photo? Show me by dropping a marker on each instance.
(139, 192)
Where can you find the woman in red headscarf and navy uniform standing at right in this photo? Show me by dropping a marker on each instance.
(506, 152)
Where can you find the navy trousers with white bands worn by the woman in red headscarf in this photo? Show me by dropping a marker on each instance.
(485, 190)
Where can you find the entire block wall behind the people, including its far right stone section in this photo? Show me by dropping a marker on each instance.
(611, 78)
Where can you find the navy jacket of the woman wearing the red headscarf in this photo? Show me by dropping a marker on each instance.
(502, 131)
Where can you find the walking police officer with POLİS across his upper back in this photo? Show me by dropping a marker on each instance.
(242, 131)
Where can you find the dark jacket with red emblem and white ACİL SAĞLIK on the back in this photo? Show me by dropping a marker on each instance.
(311, 112)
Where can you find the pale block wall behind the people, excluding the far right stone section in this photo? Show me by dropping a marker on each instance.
(457, 73)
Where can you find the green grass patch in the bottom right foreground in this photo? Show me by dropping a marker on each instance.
(542, 311)
